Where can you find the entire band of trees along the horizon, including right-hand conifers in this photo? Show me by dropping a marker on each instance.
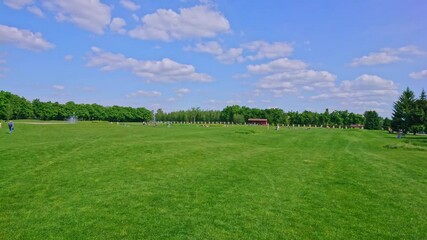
(410, 114)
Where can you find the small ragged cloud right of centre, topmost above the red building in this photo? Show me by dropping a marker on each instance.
(268, 50)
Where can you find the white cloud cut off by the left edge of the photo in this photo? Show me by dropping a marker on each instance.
(23, 38)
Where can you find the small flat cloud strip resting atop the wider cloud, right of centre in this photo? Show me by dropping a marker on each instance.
(279, 65)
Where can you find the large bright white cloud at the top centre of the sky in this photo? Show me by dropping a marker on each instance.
(195, 22)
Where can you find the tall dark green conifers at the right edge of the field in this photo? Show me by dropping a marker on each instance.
(410, 113)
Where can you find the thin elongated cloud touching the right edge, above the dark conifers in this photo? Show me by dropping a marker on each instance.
(387, 55)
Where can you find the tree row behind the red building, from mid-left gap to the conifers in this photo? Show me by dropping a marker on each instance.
(240, 114)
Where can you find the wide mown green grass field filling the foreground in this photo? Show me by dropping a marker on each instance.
(108, 181)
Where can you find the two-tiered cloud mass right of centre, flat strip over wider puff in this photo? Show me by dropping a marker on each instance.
(285, 75)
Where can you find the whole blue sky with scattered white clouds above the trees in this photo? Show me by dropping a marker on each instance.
(174, 55)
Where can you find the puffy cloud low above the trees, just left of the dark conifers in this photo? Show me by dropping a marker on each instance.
(365, 92)
